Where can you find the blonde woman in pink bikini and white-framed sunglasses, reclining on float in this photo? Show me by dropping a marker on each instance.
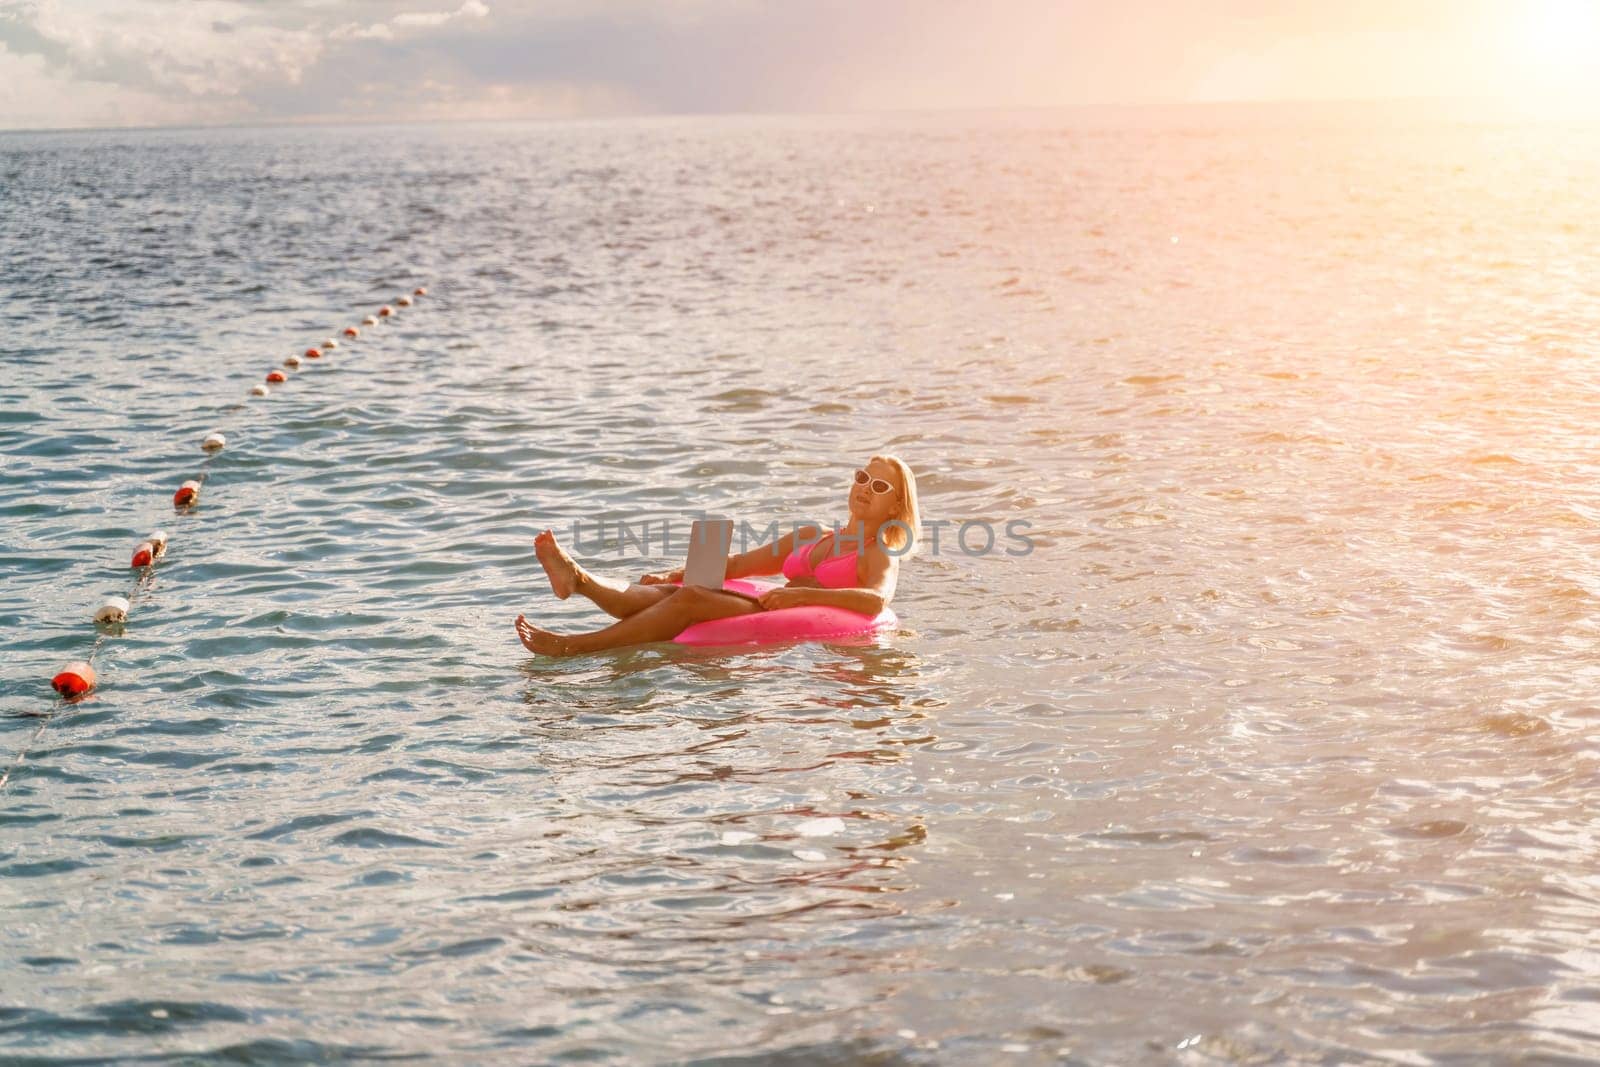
(882, 518)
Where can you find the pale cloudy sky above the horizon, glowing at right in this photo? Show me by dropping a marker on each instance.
(140, 63)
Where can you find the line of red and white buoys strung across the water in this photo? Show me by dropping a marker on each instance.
(76, 679)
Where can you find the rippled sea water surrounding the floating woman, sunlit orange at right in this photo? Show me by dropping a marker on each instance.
(1282, 745)
